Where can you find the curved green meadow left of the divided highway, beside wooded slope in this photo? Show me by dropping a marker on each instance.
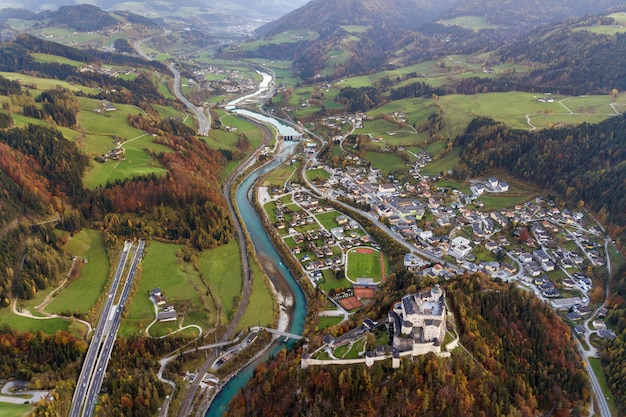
(83, 292)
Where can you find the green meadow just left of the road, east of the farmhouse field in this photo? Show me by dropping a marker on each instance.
(222, 268)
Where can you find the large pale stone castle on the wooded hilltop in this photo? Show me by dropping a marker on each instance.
(419, 322)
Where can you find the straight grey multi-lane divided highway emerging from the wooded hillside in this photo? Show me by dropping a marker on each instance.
(101, 346)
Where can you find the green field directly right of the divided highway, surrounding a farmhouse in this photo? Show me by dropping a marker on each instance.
(182, 288)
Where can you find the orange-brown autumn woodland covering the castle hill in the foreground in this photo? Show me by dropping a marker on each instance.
(524, 363)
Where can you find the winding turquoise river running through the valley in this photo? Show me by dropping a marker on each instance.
(265, 250)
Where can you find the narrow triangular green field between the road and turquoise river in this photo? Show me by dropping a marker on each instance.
(260, 311)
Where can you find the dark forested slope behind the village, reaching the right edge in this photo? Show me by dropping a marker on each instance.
(583, 164)
